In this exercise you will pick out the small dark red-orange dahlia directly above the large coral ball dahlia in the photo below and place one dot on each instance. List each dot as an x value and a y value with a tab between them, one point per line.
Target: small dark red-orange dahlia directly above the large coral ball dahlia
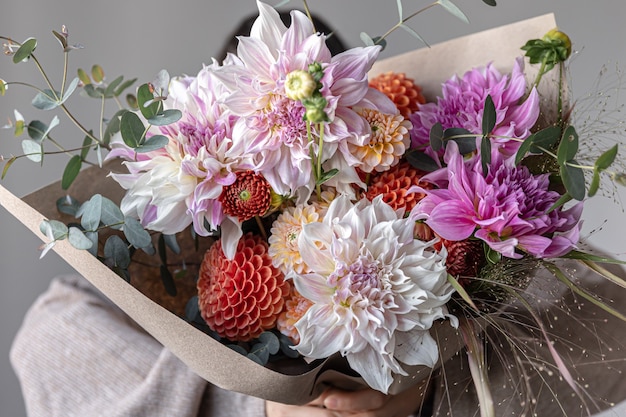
249	196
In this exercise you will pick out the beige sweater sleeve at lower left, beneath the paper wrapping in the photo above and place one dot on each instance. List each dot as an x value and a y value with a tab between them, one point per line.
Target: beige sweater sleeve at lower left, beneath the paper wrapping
77	354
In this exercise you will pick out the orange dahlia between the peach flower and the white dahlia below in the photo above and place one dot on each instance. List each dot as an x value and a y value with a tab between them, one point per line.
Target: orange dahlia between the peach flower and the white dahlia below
394	185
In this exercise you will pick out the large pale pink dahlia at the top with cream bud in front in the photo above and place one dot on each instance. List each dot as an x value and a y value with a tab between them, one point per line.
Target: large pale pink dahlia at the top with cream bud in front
261	78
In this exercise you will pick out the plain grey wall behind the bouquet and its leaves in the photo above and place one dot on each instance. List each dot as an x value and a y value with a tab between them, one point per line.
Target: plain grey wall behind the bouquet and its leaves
138	38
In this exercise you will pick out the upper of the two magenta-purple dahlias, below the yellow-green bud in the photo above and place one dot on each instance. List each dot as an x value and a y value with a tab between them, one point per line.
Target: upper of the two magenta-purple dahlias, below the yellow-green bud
463	100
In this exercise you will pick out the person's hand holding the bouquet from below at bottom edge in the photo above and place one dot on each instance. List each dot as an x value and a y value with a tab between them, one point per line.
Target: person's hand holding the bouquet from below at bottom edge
362	403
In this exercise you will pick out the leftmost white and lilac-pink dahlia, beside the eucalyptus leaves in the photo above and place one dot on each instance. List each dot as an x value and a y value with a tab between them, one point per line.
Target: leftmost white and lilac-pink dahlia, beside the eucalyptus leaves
180	184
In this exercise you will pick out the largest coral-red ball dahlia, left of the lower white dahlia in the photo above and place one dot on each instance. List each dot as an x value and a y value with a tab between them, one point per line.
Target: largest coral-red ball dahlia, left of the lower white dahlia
242	297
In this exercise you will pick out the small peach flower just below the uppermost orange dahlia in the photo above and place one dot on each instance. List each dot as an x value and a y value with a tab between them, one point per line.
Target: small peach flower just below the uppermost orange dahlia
387	143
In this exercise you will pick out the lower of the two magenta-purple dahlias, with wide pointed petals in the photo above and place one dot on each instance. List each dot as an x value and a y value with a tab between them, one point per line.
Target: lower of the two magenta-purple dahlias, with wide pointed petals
508	208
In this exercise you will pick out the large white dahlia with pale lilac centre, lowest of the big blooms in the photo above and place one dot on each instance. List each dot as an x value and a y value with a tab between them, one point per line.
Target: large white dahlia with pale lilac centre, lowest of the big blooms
376	290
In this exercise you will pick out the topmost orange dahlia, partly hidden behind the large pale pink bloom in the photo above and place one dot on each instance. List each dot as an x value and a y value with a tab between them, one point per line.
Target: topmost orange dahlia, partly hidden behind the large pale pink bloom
406	95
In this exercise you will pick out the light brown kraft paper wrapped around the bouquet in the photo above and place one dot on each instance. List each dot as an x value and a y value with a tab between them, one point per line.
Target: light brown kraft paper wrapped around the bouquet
288	382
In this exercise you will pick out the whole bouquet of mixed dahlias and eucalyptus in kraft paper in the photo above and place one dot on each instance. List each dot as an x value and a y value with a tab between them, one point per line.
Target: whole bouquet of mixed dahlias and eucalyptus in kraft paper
346	230
